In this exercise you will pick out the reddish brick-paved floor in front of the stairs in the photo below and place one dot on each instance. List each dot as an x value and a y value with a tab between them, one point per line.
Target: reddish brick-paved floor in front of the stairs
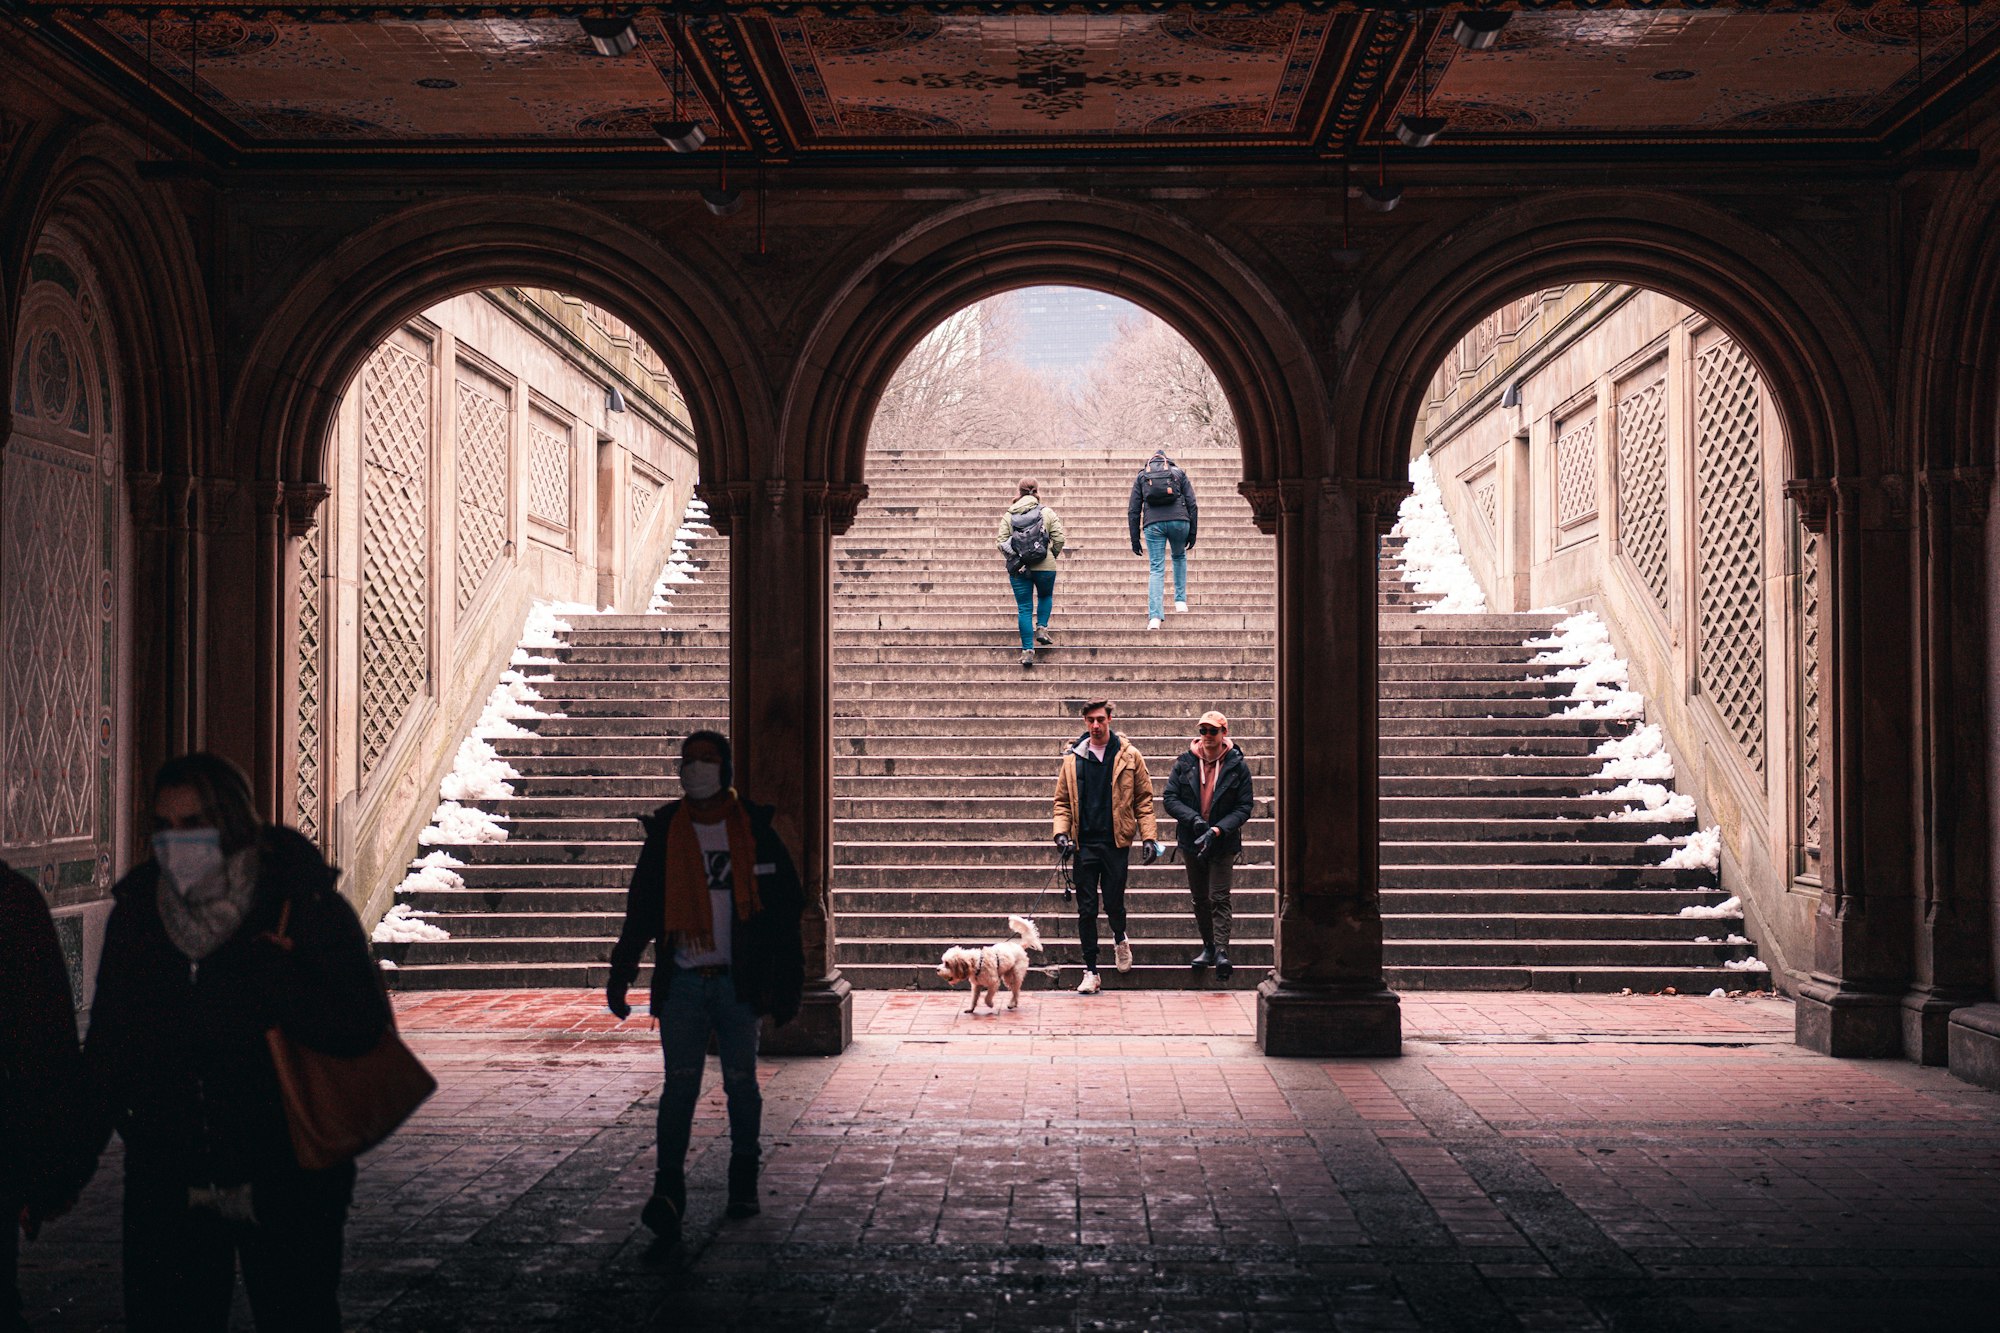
1131	1162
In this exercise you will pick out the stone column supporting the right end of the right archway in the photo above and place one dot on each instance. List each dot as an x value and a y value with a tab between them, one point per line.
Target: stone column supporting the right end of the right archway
1863	928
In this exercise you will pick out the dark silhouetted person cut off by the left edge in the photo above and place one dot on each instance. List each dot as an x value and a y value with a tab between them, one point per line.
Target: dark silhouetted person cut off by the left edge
43	1156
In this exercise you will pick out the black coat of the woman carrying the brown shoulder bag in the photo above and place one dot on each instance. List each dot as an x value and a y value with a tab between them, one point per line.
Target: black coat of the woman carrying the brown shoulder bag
177	1054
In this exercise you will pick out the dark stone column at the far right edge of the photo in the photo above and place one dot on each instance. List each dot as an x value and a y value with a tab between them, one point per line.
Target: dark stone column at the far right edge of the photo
1951	966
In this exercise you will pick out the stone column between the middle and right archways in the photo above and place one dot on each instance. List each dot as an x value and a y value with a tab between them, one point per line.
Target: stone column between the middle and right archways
1327	996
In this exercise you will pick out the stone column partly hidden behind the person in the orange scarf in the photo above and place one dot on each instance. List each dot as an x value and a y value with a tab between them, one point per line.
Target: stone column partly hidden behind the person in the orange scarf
781	708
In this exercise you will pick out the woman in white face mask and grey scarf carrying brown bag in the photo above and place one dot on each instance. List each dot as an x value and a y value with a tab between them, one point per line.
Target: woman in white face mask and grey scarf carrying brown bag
195	972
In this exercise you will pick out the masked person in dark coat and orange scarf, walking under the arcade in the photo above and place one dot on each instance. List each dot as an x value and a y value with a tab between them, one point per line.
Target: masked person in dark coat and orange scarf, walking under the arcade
719	896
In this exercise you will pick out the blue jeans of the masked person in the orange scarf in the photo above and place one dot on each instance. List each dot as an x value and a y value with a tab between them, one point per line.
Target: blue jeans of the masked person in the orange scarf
695	1008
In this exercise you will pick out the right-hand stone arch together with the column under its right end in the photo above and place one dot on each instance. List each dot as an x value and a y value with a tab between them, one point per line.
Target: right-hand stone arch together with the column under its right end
1821	369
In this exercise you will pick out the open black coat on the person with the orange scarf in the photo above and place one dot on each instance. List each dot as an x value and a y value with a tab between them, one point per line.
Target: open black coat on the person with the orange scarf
767	954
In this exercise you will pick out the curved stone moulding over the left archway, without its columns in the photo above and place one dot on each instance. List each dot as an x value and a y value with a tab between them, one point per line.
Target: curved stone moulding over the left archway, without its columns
345	305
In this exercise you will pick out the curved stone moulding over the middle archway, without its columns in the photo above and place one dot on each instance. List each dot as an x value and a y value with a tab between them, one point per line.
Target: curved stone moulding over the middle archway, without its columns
1141	255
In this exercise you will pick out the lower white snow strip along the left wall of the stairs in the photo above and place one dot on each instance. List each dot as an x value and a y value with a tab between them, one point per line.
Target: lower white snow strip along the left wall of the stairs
479	774
